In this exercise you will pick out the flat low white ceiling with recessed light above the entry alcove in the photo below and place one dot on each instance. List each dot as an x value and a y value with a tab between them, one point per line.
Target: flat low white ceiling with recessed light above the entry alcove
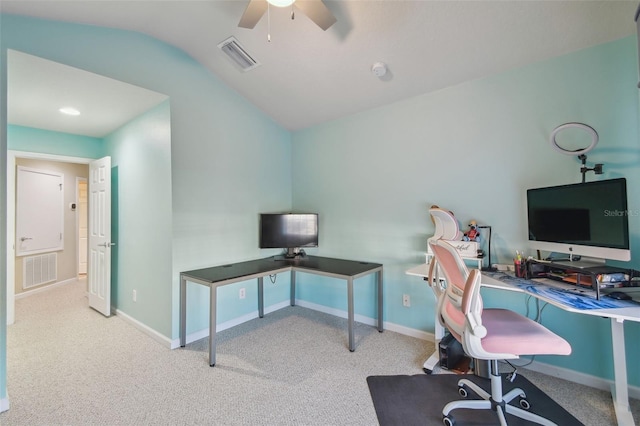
38	88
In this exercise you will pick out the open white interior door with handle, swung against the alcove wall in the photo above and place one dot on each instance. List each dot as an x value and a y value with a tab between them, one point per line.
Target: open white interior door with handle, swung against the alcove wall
99	274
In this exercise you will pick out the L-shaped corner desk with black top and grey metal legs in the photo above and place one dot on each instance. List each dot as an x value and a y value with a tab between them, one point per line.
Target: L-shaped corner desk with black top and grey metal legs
218	276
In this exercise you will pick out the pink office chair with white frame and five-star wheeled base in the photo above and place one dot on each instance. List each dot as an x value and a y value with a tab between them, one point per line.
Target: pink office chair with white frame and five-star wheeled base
488	334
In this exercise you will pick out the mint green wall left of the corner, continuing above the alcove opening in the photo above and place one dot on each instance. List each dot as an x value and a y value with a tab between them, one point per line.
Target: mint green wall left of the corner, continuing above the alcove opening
229	161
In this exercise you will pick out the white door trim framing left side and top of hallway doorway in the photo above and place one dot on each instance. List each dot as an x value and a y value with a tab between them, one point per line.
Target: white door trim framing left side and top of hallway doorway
11	216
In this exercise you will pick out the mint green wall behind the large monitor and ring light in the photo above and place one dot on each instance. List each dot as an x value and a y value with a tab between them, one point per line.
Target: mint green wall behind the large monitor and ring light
474	149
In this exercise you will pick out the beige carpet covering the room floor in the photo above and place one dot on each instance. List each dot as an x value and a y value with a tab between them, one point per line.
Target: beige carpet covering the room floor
69	365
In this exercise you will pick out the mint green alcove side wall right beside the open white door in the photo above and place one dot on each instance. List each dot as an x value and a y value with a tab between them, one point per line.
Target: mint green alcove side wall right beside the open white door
141	217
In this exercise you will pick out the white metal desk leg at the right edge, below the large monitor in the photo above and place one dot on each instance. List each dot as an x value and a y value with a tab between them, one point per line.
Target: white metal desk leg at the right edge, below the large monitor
619	390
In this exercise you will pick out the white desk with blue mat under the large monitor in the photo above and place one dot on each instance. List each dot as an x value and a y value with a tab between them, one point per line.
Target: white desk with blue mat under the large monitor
616	315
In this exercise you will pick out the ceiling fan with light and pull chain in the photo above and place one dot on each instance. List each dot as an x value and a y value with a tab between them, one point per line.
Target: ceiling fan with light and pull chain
314	9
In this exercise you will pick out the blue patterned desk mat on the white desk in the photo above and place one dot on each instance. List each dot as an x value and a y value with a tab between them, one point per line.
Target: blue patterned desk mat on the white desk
576	298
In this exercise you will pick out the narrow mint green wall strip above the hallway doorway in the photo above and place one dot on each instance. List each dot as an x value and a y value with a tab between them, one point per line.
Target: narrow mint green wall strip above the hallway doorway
20	138
